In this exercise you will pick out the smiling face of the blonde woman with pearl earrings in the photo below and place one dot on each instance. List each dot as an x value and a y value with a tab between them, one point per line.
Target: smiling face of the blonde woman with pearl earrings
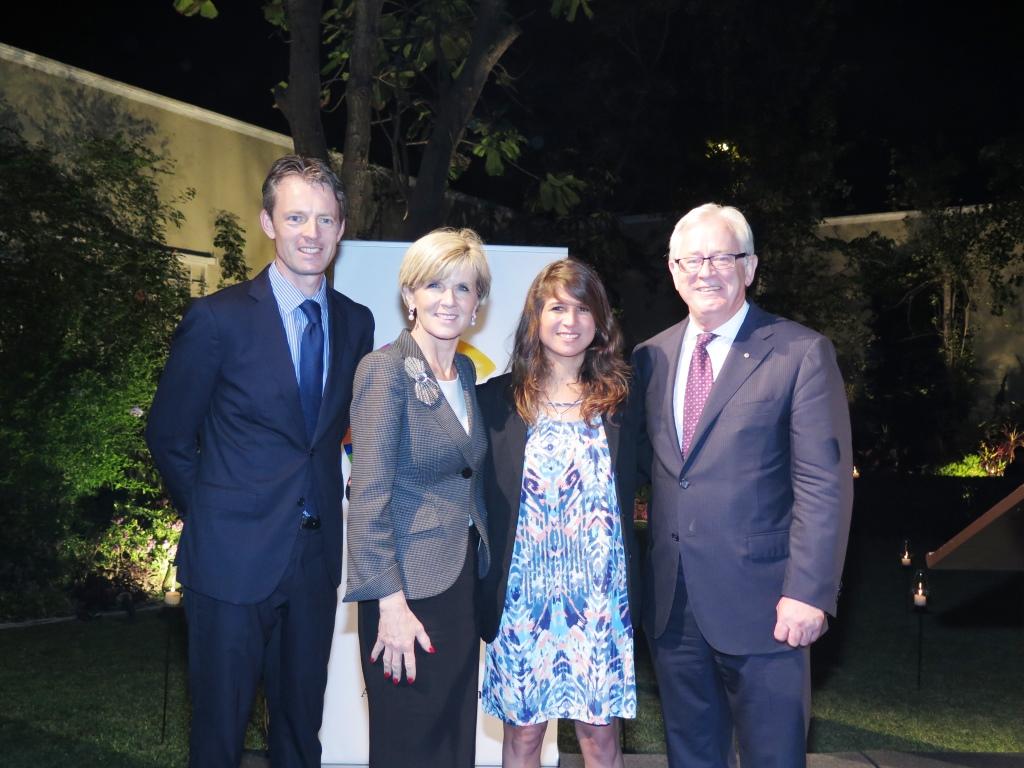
444	306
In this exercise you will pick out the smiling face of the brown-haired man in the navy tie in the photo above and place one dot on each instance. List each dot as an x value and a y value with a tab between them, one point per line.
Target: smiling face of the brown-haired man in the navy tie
306	228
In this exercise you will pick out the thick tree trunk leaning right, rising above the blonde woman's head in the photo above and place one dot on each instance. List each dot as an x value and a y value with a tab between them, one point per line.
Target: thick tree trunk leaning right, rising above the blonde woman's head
492	37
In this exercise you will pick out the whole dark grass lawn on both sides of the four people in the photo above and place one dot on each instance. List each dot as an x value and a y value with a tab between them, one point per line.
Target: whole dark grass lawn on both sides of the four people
92	694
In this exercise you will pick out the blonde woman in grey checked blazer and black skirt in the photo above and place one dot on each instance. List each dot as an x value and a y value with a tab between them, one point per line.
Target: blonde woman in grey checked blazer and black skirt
417	536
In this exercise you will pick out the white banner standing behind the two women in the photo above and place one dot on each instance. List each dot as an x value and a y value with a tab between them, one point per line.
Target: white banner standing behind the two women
368	273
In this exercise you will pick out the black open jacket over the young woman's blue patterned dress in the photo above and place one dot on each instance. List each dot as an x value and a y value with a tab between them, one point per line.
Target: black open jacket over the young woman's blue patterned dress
503	490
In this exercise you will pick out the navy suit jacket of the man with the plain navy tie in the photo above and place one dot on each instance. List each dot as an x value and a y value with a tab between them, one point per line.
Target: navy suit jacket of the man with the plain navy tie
228	435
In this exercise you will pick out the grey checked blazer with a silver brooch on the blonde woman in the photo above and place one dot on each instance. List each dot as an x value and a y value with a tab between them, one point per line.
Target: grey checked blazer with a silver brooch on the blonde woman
416	480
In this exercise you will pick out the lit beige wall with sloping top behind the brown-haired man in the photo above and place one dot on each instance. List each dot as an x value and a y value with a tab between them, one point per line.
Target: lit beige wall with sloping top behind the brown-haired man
224	160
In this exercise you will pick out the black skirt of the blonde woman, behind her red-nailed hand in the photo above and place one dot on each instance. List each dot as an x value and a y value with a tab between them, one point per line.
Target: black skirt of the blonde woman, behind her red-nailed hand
433	722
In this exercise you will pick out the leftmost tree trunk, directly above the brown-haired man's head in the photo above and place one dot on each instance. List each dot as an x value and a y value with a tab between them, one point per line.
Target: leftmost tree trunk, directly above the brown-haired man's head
301	102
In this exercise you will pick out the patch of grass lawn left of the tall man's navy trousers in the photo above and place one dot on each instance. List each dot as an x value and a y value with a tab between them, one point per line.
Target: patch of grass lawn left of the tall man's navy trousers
92	695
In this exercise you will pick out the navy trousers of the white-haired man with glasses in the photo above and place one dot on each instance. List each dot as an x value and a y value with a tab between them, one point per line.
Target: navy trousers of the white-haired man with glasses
706	695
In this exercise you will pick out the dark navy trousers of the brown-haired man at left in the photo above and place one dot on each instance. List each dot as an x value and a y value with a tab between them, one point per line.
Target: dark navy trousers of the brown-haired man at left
287	641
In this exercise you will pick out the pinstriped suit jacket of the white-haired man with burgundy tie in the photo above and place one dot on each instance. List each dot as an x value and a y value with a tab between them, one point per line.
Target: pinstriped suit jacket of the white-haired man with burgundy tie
761	506
